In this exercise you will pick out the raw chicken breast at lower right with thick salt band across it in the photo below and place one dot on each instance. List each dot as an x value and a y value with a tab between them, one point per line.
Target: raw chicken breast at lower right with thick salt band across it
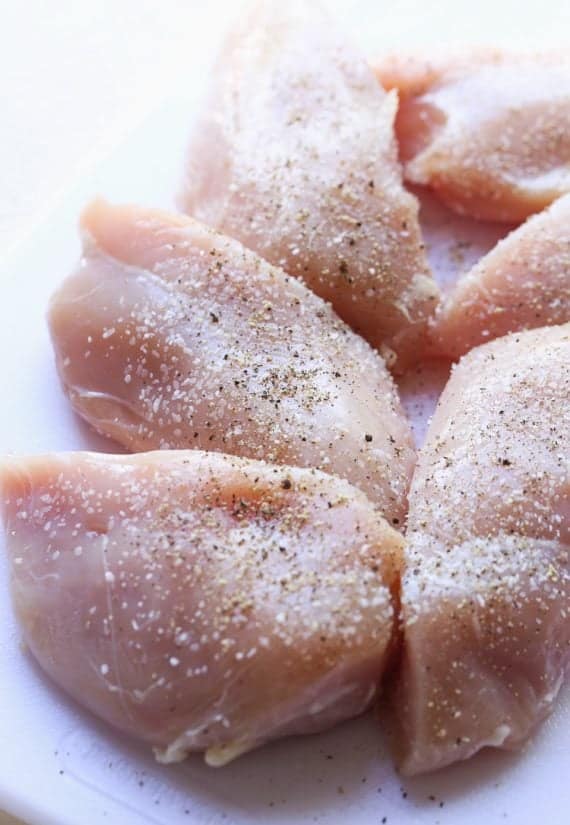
485	595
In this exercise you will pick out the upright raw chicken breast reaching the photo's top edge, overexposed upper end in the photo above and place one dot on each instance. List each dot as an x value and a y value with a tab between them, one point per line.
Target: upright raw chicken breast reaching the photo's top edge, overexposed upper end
294	154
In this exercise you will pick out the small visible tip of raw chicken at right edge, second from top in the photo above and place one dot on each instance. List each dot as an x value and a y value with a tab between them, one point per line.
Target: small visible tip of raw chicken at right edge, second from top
524	282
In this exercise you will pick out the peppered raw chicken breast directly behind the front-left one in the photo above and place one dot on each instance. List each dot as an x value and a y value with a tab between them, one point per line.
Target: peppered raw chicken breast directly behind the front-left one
170	335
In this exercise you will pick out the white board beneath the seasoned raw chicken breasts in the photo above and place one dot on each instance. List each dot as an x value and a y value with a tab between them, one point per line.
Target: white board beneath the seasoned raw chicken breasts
58	765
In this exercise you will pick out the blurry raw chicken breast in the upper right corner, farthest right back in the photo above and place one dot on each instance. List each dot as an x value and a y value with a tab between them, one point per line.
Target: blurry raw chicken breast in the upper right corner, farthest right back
502	159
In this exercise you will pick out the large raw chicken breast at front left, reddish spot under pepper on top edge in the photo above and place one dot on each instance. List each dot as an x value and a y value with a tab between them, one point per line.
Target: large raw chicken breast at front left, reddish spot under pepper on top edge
199	601
